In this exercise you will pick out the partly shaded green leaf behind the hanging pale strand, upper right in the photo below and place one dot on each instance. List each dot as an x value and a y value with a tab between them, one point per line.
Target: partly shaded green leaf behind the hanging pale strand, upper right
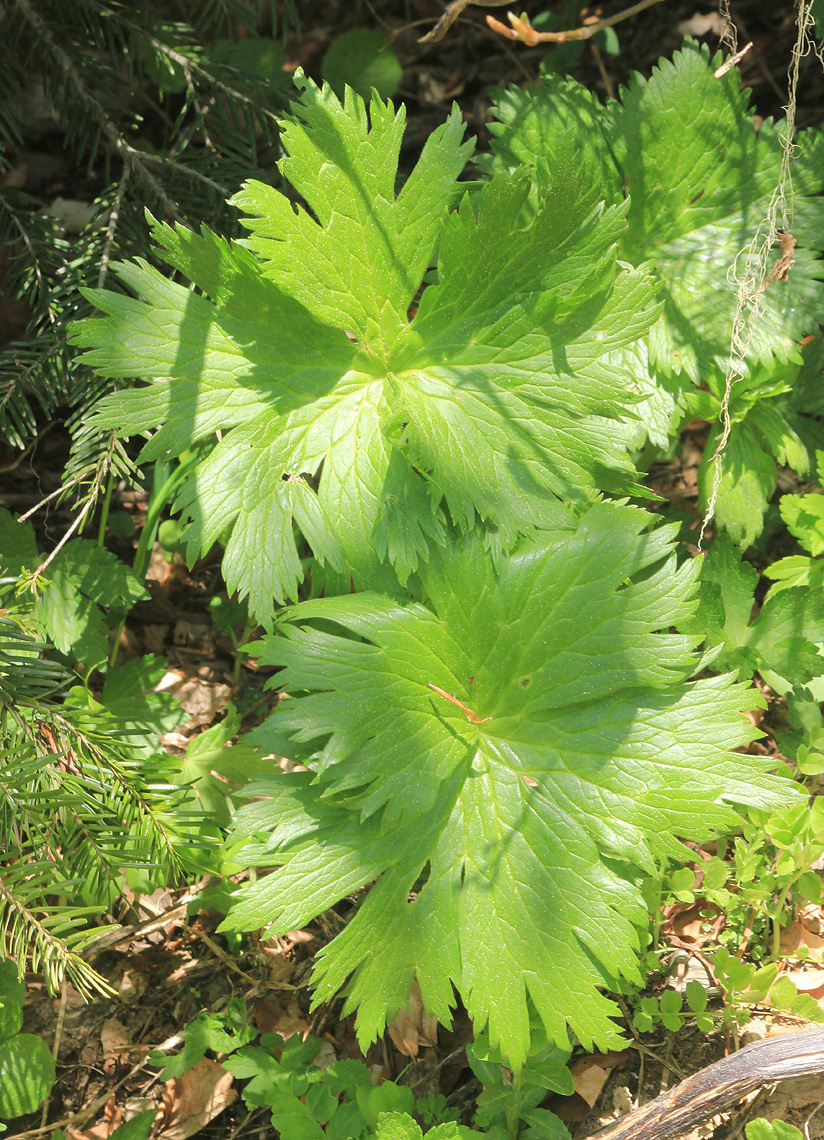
686	150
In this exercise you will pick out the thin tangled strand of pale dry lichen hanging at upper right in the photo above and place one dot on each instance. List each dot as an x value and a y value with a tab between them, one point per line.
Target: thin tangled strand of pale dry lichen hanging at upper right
756	256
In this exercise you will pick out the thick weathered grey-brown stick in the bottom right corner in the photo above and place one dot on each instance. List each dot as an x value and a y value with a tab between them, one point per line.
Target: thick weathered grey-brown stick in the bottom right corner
721	1086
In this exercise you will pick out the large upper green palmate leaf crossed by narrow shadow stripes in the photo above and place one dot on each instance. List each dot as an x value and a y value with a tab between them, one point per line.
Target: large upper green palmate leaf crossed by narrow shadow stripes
339	417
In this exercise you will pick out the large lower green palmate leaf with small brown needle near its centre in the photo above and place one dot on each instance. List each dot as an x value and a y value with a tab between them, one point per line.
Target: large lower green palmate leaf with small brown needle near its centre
501	763
